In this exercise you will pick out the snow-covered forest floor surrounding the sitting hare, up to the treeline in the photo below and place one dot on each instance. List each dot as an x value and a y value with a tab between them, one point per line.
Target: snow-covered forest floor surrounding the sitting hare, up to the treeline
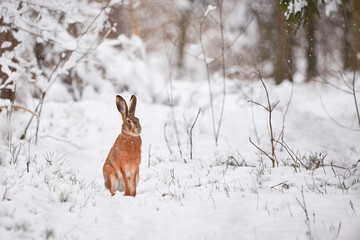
229	191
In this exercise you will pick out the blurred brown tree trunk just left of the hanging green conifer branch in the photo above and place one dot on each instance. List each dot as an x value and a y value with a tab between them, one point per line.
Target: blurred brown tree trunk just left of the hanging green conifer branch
283	60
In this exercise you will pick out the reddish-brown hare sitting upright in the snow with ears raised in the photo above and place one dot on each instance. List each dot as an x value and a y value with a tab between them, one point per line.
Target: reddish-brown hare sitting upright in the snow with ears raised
121	168
